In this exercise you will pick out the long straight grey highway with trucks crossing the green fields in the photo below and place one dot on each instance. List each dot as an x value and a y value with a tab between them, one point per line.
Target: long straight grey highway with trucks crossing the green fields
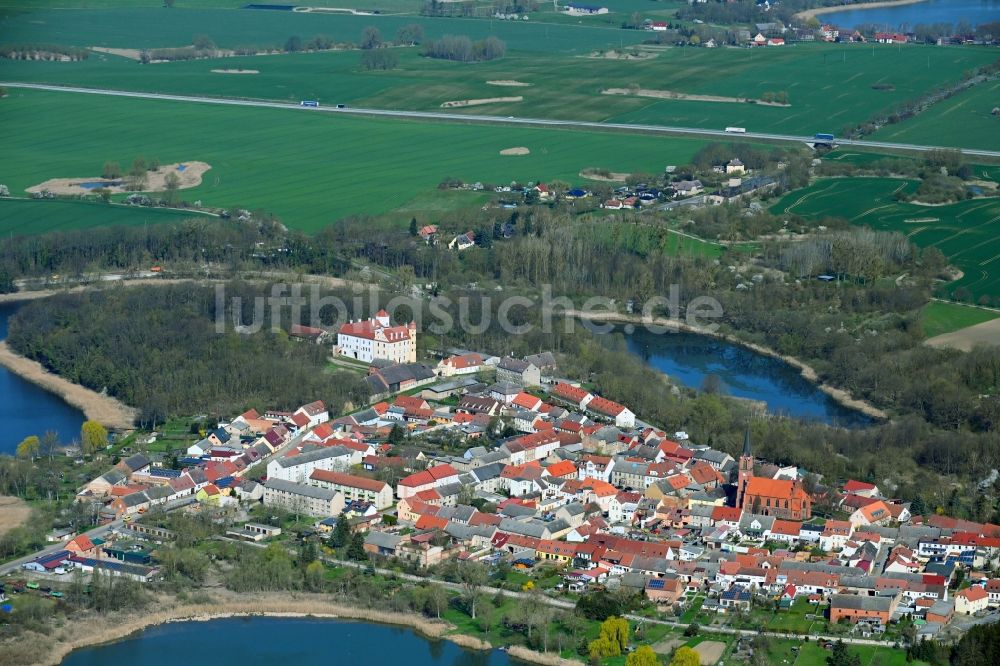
485	120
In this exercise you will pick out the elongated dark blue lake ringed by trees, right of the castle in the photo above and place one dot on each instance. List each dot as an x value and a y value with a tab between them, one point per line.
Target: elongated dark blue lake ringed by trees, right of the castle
689	359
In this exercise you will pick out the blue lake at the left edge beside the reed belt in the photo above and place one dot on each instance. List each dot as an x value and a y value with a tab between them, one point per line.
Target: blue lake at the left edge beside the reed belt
26	409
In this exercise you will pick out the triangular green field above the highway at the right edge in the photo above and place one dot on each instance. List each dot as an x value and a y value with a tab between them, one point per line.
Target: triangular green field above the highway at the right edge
962	120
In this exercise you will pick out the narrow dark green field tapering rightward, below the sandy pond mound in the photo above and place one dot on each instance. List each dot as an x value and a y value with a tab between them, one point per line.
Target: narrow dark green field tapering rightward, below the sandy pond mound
19	217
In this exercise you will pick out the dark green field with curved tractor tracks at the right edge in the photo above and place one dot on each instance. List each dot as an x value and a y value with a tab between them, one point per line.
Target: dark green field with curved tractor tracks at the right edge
966	232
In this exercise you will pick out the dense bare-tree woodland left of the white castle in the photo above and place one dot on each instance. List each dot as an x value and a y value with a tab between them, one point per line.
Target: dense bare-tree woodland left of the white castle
159	349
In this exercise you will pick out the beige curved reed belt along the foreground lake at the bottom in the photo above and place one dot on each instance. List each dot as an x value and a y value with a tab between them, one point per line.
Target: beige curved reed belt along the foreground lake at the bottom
110	629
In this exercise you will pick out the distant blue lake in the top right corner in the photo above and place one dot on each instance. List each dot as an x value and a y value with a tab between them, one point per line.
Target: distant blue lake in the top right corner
906	16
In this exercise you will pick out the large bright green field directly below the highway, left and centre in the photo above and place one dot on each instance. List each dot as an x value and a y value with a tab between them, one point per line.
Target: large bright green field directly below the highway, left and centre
309	169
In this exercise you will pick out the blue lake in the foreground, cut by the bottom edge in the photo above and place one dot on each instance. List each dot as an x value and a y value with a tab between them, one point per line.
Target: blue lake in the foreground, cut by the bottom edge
299	641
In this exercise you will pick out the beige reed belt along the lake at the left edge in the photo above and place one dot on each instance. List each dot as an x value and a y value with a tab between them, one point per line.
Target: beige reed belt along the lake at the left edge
104	409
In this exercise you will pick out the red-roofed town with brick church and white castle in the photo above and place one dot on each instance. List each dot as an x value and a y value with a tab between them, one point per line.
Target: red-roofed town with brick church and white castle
537	472
